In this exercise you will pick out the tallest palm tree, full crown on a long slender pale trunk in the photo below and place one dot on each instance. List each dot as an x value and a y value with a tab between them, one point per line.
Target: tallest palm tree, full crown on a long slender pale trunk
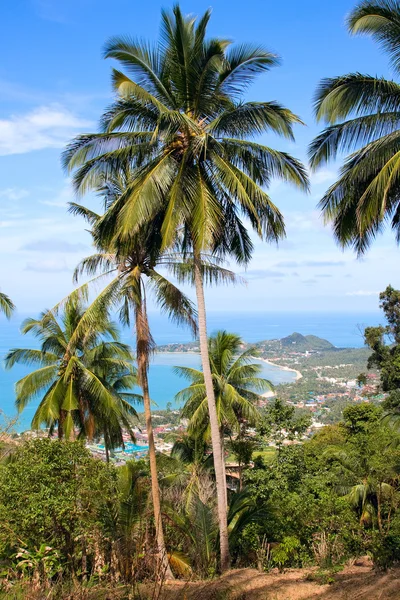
182	124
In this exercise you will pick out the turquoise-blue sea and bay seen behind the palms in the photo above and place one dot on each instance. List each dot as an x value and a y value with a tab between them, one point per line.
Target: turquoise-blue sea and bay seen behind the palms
344	330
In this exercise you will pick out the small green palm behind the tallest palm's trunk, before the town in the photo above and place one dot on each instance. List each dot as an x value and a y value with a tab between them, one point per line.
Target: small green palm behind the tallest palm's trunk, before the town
236	382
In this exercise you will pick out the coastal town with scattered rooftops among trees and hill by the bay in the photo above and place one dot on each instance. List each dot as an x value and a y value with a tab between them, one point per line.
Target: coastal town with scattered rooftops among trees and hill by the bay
322	388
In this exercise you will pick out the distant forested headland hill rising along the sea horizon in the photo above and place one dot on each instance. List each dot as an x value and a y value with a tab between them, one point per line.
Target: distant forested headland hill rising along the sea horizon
296	342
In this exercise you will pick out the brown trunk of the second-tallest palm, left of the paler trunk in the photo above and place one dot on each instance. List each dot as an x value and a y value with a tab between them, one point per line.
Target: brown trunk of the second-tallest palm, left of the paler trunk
142	350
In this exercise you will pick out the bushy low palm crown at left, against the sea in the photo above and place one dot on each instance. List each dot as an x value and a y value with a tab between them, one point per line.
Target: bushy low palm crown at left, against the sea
83	380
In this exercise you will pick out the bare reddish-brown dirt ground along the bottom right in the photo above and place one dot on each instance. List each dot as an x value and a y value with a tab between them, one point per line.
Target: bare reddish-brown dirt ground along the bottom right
358	582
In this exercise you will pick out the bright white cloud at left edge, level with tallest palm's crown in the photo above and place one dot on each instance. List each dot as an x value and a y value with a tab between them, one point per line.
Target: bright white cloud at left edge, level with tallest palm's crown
44	127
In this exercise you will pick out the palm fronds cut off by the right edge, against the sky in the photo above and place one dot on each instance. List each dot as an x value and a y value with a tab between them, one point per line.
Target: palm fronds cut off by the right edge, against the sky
362	112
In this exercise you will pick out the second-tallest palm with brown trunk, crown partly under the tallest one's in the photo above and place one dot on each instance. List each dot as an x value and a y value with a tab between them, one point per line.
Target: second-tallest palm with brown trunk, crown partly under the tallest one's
131	265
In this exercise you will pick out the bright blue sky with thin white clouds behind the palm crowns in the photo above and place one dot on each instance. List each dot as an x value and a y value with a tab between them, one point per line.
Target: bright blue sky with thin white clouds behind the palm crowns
54	84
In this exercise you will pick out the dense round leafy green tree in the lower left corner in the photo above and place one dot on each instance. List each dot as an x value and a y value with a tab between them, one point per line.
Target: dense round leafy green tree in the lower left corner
54	493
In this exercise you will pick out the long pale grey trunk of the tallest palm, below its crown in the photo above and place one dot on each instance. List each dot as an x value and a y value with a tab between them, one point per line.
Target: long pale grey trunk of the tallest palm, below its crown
212	410
